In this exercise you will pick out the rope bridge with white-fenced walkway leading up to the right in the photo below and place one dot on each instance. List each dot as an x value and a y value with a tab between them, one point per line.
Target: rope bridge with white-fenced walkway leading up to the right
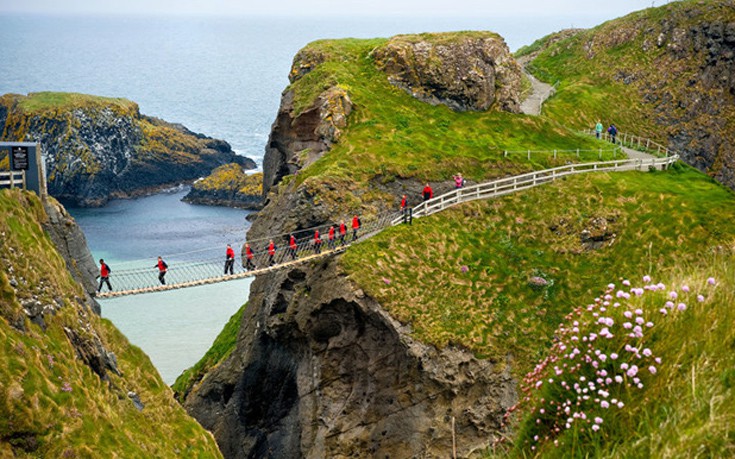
200	267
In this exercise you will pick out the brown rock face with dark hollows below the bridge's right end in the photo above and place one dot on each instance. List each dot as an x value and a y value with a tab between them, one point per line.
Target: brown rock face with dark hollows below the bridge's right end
321	370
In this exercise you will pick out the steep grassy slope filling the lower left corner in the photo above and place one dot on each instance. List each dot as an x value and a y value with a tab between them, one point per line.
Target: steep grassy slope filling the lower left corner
52	404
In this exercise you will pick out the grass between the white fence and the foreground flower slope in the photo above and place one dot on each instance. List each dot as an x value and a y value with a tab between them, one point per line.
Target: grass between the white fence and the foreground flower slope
658	220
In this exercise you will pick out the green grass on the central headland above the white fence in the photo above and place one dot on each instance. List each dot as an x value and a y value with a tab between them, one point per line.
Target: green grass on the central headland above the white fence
392	135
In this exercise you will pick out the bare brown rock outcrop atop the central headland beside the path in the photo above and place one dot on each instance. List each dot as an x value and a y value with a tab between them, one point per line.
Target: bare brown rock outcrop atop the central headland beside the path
464	73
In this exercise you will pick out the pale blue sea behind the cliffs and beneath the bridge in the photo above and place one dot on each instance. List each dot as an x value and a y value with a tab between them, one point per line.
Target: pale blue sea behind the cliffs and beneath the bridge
221	76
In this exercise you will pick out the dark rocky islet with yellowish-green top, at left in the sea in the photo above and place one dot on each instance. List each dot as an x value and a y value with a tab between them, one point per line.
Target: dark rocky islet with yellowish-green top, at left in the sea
98	148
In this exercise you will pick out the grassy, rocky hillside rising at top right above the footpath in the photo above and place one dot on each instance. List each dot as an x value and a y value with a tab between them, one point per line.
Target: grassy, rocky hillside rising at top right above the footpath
666	72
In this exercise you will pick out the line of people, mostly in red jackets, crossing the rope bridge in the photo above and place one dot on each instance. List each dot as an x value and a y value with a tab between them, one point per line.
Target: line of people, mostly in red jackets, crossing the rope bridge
336	234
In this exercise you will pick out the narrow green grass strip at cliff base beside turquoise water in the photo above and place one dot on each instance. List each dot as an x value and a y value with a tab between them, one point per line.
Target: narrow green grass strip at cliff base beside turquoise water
222	347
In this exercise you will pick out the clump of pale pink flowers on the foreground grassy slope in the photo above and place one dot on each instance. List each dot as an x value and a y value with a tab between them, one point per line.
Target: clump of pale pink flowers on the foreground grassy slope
602	354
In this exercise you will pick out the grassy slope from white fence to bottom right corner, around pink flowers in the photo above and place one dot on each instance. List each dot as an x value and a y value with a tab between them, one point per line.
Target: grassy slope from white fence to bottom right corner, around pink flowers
498	277
